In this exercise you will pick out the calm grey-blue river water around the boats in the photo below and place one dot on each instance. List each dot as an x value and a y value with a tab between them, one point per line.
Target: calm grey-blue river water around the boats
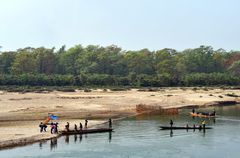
140	137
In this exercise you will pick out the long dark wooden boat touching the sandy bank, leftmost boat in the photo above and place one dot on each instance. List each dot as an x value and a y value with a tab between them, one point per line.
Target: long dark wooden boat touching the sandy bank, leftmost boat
86	131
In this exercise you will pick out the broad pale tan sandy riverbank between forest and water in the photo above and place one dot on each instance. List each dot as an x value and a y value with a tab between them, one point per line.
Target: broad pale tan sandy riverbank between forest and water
20	114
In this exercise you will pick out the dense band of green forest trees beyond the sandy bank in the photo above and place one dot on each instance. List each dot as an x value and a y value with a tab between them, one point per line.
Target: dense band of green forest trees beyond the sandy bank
96	65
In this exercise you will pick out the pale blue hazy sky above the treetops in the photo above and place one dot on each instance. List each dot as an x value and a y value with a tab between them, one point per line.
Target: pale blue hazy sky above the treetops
129	24
